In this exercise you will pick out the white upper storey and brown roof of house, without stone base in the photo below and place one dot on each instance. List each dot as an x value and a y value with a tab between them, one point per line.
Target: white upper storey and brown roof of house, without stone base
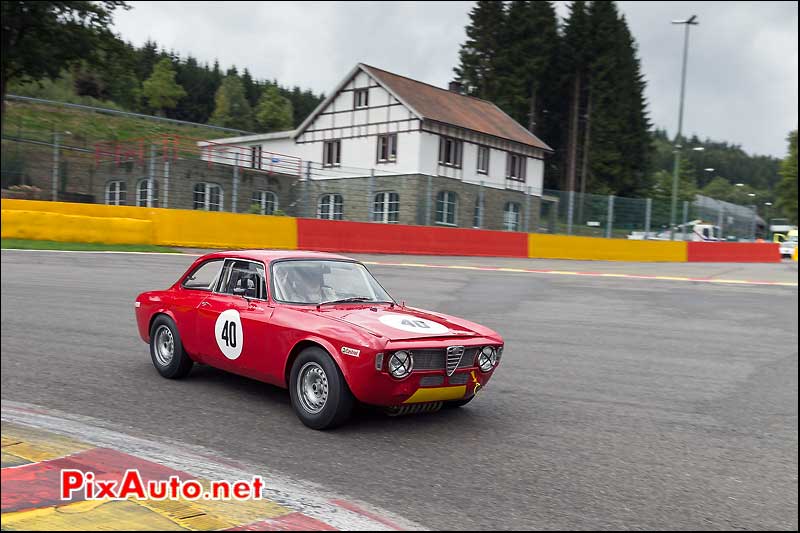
376	119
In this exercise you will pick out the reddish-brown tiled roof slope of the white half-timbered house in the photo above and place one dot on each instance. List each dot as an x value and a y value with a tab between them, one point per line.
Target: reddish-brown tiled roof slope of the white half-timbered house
449	107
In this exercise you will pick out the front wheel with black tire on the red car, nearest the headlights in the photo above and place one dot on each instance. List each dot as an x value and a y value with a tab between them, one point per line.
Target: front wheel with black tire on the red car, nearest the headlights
338	400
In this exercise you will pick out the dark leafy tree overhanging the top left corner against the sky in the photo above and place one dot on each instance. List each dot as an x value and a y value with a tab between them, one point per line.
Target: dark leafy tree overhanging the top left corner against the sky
40	39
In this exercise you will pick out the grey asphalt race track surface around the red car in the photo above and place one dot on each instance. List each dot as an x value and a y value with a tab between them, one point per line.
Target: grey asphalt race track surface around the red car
621	403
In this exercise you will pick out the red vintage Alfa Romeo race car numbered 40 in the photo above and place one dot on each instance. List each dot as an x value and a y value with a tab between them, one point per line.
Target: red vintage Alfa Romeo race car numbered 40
322	326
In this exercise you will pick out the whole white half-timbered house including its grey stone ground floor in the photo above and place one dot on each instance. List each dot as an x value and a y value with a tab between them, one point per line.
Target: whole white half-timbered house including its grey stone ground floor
379	123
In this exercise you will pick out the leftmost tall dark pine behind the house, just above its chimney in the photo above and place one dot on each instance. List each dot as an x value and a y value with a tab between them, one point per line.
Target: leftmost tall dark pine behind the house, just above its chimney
479	68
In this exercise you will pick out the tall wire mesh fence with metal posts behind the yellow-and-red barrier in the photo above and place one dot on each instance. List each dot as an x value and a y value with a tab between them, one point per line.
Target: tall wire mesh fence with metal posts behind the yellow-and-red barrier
179	173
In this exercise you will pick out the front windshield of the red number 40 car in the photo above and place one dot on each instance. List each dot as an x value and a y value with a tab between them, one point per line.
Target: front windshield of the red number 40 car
321	281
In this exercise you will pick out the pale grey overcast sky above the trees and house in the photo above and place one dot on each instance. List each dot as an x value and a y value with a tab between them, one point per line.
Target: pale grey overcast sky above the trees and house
741	79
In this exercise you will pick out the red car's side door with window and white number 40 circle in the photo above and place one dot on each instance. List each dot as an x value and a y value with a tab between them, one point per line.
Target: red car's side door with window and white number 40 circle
233	321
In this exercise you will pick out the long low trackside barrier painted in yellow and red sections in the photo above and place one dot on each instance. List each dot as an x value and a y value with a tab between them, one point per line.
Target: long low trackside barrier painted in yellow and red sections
75	222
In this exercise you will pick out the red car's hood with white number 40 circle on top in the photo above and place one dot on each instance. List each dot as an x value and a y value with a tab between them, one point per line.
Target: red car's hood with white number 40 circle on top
404	323
